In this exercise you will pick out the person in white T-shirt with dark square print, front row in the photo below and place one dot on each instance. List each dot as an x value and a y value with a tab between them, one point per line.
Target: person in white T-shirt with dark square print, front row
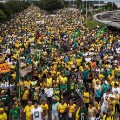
36	112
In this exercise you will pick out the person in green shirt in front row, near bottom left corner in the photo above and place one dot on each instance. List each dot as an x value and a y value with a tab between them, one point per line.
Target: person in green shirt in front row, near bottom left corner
14	113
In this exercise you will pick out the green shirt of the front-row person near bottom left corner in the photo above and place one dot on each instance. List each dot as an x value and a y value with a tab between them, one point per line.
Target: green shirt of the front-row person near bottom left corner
14	113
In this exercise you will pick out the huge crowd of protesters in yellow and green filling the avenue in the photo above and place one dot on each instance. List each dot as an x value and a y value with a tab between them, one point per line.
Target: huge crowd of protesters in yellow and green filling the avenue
75	70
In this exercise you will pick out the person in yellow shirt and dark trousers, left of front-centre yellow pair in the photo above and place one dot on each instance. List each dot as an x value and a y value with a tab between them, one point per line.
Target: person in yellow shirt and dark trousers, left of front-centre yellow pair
62	109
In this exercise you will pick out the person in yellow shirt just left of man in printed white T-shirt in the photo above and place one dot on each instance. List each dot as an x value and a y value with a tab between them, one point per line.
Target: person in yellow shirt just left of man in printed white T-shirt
28	109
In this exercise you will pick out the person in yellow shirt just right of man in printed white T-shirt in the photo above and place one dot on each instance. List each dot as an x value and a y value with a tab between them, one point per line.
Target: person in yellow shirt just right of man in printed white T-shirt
44	106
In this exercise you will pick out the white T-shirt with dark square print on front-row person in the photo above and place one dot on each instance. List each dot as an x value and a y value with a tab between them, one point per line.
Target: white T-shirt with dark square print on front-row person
36	112
